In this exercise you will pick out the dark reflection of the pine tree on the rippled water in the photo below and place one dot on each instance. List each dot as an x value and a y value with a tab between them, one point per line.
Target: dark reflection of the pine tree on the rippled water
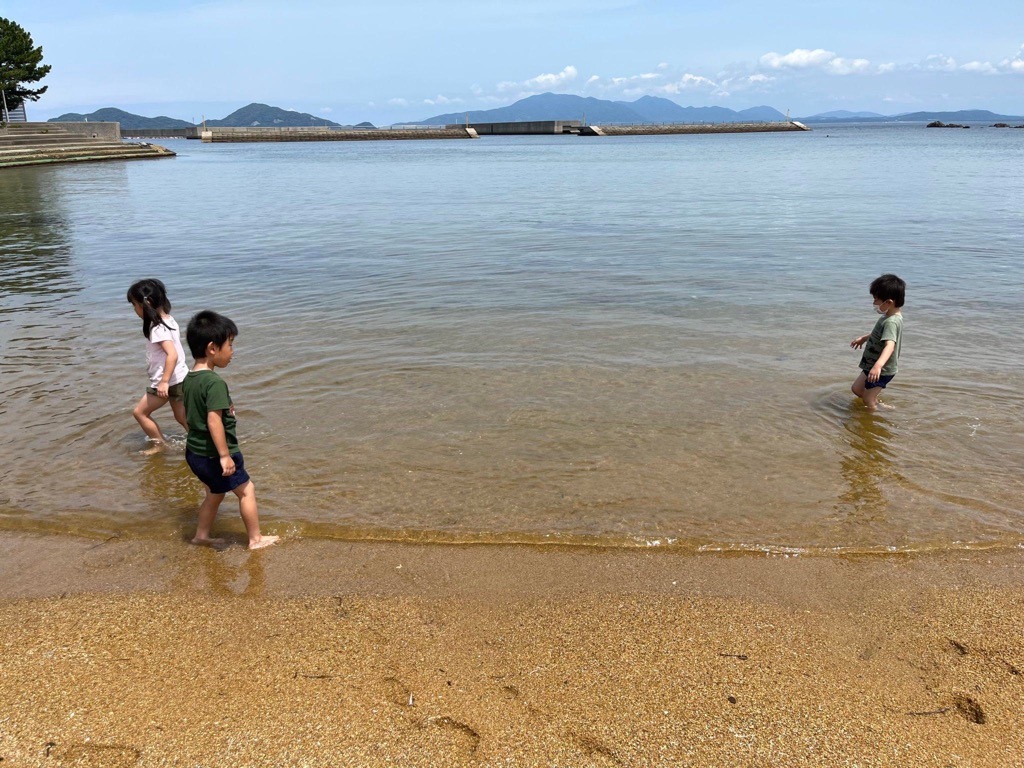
34	241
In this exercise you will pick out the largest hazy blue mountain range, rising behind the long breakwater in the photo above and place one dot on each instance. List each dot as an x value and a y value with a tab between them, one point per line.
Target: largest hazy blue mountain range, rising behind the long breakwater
599	111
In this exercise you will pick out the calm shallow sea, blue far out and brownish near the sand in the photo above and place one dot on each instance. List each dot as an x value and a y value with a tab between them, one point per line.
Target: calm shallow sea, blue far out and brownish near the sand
618	342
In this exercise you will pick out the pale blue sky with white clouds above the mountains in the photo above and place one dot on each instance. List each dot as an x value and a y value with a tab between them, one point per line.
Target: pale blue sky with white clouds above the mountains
401	61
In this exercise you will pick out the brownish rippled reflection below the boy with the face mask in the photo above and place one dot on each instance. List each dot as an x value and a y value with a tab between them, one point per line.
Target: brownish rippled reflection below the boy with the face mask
868	468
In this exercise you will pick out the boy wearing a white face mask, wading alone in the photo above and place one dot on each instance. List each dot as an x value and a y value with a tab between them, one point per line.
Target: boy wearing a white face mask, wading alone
881	359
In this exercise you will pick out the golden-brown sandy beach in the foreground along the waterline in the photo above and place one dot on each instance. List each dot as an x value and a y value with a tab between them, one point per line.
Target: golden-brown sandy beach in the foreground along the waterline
317	653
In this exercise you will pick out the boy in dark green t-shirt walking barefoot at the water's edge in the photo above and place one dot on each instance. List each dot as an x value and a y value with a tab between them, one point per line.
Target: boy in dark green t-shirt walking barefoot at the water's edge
212	449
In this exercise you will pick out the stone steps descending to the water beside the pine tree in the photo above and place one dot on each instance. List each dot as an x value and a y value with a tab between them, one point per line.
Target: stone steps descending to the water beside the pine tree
41	144
